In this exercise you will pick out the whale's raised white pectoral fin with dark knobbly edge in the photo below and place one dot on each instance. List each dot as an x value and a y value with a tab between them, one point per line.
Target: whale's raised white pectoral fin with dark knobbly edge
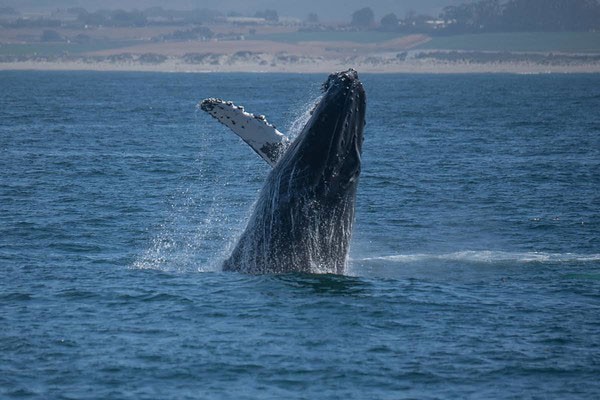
263	137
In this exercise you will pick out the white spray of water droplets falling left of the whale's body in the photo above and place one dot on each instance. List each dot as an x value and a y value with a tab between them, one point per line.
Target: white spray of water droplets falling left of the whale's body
200	228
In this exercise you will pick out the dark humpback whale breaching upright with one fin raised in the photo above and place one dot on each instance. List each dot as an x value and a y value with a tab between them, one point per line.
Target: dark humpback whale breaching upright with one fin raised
302	221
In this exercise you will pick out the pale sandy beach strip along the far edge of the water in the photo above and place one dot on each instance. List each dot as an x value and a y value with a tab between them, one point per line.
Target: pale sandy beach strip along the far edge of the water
269	63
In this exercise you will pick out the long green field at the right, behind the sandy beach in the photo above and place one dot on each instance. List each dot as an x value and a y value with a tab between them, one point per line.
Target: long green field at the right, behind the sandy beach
574	42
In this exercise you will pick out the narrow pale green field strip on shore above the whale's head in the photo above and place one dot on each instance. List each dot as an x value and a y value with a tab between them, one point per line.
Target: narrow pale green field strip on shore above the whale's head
356	37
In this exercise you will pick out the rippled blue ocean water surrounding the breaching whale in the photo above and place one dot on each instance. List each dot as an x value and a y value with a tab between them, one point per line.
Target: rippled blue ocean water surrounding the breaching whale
475	261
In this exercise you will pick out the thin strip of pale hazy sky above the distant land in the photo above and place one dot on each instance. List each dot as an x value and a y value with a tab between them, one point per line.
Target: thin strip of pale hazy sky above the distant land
335	10
